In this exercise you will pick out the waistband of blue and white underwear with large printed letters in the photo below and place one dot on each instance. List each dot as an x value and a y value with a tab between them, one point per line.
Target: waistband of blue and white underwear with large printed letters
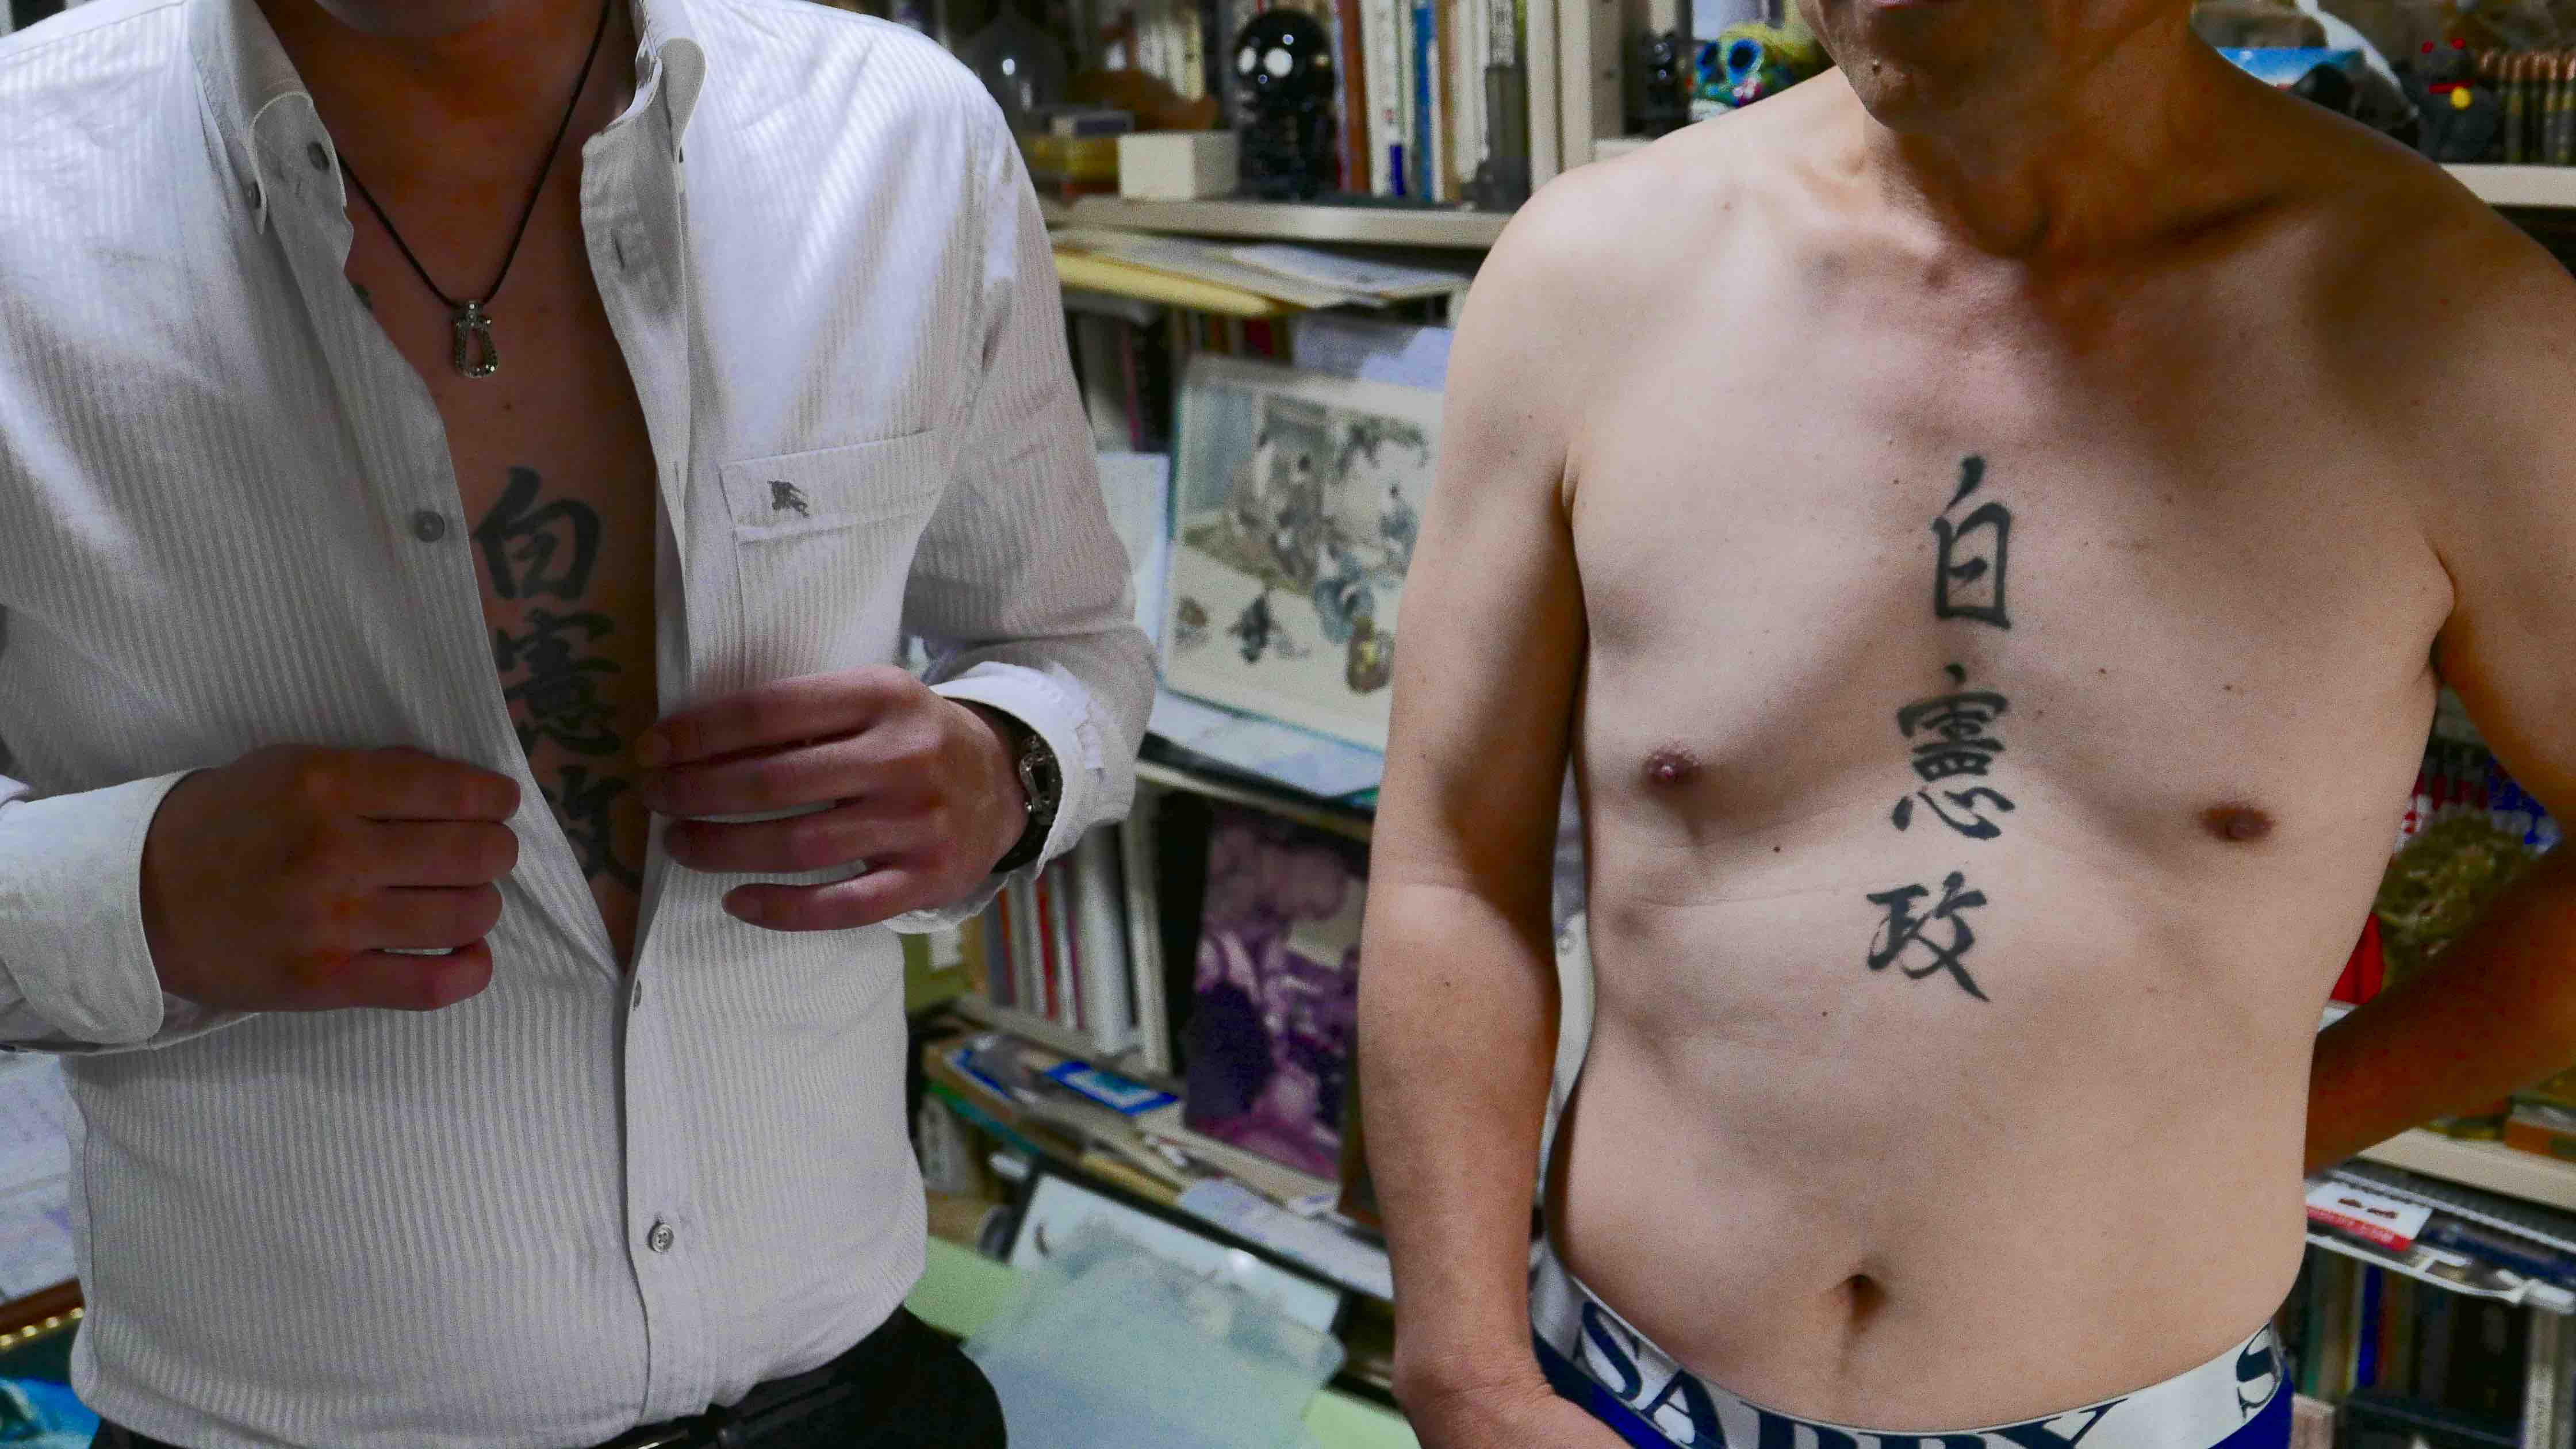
1606	1365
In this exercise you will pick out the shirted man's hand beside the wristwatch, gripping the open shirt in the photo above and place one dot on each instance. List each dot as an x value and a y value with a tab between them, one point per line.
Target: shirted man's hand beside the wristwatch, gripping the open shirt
918	788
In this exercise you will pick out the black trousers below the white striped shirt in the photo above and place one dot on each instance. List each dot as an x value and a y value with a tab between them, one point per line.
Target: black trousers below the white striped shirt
900	1388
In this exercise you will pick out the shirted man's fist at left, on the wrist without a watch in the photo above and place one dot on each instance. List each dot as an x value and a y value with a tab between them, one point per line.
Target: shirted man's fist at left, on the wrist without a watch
290	878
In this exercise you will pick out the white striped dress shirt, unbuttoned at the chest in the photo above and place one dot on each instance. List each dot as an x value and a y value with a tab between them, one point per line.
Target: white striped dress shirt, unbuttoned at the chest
228	520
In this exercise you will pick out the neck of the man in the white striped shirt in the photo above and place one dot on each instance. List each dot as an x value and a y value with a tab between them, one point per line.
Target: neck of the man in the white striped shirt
460	110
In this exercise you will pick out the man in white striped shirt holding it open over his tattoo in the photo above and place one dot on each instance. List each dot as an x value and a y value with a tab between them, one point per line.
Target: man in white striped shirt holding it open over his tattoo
465	476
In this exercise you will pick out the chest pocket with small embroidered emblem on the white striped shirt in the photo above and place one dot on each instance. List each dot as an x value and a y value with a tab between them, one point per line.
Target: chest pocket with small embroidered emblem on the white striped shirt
823	548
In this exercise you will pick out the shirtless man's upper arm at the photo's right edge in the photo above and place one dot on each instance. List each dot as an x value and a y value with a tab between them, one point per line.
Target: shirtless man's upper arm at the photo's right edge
2505	522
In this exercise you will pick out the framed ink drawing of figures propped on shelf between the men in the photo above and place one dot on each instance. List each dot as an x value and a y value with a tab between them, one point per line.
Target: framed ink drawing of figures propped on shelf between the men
1297	504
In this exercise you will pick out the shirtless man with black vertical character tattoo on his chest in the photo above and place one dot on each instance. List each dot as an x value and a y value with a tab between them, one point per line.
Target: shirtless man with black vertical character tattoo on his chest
1987	530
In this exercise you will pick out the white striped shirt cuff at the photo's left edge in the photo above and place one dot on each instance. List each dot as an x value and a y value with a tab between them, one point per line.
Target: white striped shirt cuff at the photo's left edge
71	917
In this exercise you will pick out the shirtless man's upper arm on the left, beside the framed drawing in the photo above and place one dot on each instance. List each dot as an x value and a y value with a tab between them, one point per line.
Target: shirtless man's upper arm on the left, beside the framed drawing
1493	623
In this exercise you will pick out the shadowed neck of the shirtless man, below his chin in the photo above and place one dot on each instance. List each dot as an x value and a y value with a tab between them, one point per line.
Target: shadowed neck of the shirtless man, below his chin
2108	146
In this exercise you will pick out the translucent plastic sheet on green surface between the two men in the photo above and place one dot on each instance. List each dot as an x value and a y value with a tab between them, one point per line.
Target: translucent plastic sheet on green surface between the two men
1112	1347
